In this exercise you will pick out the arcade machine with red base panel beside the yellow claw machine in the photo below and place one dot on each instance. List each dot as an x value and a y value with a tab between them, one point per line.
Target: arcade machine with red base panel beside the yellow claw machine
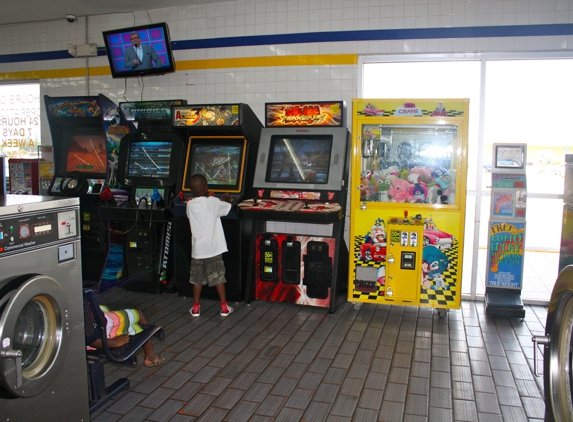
301	175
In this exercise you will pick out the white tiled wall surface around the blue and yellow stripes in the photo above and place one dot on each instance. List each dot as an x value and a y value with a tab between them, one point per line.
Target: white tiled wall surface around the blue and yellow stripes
255	86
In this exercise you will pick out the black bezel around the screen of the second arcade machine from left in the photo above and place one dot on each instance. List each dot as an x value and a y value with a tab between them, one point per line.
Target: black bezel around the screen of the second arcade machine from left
174	160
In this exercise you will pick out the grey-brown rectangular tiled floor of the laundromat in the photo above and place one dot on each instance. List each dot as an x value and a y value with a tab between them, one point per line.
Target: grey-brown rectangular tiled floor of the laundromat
283	362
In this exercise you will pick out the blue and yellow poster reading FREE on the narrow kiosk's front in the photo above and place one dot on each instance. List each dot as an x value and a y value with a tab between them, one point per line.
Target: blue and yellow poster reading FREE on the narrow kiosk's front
505	255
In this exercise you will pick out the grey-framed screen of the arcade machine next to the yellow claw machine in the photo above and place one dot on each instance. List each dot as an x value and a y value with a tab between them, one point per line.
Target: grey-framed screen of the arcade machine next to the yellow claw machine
301	159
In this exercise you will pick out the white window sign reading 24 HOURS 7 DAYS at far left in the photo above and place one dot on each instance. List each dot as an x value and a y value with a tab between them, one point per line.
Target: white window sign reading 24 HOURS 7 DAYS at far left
20	120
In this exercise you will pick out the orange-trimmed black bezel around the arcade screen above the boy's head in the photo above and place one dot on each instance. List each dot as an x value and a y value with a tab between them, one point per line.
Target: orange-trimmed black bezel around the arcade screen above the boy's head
216	140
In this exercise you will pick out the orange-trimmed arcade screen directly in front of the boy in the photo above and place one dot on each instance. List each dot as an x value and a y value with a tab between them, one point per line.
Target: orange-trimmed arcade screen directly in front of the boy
221	159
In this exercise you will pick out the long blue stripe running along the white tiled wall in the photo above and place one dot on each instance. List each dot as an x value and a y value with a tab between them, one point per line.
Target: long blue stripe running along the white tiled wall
334	36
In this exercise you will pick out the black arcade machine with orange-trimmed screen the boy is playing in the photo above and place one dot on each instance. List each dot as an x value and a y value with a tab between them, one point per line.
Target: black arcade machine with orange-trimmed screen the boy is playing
222	142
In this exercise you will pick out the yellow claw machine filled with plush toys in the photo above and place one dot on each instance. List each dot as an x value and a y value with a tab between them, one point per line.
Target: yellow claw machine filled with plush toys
408	201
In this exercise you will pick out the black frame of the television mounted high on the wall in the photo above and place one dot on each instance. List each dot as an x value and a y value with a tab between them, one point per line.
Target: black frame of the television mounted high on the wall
146	72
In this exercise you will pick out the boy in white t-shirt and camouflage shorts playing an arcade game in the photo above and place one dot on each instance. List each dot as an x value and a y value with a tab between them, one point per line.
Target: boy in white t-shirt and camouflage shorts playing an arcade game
207	242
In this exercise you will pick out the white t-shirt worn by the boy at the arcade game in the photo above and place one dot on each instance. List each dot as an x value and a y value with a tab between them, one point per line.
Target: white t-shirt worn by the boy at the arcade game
207	236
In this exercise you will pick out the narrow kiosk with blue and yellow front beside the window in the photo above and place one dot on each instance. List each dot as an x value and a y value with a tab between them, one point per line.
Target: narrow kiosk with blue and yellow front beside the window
506	232
